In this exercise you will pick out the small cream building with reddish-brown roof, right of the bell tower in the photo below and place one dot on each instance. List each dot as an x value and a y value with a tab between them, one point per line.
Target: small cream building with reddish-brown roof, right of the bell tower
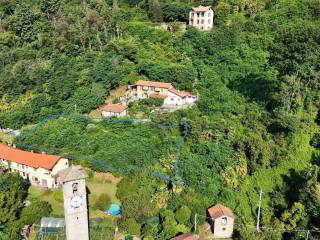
222	220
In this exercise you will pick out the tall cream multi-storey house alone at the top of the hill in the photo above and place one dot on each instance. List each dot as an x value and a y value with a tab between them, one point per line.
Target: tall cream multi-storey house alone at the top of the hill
201	17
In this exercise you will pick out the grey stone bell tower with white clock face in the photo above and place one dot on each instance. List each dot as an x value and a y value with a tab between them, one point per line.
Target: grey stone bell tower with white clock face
75	202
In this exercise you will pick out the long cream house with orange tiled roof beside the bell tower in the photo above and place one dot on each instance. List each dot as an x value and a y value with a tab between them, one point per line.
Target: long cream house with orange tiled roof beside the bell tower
36	168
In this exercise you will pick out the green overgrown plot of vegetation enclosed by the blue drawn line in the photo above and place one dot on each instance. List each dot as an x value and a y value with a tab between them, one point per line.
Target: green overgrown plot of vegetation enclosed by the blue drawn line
121	145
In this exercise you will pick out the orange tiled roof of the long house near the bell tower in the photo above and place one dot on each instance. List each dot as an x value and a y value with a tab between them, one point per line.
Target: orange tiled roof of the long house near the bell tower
35	160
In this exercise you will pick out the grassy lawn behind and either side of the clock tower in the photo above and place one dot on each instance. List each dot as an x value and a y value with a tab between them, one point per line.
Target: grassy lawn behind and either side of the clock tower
96	186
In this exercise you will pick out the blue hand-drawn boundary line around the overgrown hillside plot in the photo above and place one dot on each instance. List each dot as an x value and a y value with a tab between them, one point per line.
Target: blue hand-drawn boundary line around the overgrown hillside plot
102	163
